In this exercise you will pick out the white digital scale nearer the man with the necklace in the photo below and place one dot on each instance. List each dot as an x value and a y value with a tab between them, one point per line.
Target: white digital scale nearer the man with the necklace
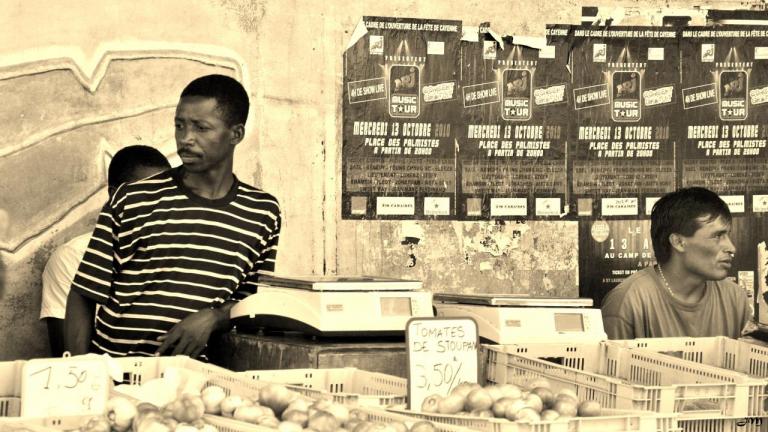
509	319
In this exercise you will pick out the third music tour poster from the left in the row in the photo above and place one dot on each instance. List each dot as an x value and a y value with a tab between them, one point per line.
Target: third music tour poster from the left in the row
625	103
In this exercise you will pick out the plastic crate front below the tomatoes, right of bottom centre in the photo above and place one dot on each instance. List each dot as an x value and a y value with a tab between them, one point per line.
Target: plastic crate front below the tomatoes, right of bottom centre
612	421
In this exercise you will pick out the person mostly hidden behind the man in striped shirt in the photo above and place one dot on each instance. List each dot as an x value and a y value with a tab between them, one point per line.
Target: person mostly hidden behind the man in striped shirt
129	164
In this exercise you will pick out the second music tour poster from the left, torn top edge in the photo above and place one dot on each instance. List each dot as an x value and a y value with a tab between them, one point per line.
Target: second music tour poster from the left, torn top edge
511	139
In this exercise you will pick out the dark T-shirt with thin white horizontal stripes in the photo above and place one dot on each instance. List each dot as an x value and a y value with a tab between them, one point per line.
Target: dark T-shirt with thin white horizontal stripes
159	253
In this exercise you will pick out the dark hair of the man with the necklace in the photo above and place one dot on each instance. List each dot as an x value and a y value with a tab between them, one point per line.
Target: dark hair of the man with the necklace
678	213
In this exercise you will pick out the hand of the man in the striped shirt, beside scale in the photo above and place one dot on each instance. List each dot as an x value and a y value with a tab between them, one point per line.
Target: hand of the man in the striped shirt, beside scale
190	335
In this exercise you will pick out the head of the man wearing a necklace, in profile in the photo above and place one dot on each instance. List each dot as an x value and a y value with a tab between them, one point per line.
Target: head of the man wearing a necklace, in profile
693	223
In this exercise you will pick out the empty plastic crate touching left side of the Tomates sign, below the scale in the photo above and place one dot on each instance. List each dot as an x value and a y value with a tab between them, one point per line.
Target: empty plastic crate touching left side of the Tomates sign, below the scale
350	386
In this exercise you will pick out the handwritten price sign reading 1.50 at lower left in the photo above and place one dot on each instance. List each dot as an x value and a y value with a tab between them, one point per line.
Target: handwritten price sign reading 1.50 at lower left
64	387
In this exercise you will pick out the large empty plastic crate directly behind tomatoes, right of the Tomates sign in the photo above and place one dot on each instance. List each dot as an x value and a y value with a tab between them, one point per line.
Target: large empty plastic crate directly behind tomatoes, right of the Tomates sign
635	379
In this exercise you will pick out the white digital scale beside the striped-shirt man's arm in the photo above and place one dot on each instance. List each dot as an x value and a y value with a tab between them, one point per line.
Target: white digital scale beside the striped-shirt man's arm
333	306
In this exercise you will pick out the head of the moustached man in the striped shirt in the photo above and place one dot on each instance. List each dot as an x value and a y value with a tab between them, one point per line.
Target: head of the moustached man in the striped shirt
210	122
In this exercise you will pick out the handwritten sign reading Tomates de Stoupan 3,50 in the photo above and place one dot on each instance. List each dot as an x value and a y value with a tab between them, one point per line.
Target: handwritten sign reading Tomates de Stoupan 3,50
442	353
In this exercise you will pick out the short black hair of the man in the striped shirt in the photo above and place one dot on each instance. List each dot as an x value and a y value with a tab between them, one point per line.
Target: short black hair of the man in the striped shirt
231	97
